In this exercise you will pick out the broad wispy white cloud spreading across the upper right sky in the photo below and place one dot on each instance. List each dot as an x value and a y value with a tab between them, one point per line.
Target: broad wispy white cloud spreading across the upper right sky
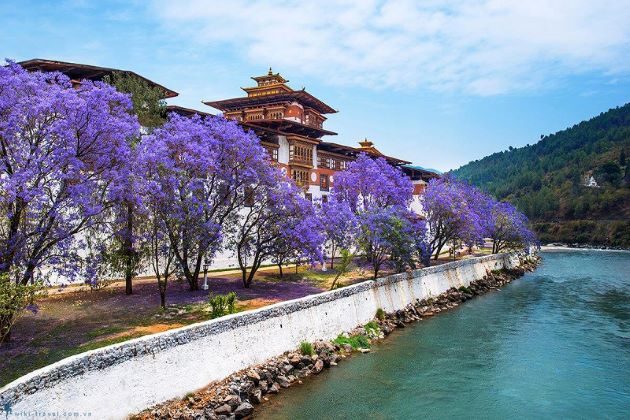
481	47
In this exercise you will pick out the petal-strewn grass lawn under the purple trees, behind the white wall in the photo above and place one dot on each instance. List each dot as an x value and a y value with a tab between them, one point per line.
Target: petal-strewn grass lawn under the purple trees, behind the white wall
75	319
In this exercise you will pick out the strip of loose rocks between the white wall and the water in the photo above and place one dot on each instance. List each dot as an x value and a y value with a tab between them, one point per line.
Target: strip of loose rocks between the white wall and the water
240	393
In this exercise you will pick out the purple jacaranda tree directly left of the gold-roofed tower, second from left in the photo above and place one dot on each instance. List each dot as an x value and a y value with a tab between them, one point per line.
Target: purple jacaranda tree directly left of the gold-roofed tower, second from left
198	171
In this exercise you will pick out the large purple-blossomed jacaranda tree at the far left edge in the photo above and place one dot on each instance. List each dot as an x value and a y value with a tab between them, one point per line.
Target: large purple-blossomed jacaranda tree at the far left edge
62	153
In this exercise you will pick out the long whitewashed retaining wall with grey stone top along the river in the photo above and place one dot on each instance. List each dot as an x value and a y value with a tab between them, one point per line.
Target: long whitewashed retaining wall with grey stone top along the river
115	381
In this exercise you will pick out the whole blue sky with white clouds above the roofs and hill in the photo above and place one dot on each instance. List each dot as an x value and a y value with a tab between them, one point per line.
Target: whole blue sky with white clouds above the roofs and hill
435	82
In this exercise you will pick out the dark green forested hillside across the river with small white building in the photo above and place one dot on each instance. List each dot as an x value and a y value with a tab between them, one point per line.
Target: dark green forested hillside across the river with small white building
573	185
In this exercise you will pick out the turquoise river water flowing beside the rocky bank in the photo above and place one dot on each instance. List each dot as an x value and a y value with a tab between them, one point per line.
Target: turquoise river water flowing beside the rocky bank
553	344
